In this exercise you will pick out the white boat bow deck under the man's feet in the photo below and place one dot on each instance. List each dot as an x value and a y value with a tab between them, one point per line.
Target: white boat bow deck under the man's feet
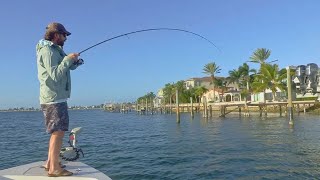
33	171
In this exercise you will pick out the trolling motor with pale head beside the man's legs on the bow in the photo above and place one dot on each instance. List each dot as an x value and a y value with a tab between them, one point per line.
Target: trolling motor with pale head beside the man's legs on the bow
72	152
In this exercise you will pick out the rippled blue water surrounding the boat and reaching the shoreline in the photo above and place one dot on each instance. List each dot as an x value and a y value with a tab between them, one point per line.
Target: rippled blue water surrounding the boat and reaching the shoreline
130	146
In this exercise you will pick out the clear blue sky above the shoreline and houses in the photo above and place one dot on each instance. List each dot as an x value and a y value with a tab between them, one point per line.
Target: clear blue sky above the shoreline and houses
129	67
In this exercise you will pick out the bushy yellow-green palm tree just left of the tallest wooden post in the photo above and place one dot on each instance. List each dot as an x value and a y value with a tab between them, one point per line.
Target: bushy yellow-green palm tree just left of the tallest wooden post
269	78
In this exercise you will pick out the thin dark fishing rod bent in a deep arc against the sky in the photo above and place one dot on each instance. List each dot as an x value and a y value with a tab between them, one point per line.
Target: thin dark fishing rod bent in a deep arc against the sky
153	29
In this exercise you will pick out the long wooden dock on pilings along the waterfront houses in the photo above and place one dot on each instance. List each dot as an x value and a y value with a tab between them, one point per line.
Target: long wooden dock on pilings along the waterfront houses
223	108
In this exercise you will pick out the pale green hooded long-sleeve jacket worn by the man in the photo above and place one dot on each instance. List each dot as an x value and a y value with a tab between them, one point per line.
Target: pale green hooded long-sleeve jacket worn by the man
53	72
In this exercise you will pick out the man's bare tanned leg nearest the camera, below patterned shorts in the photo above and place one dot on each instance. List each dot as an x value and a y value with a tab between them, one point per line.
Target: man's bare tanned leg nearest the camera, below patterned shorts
54	151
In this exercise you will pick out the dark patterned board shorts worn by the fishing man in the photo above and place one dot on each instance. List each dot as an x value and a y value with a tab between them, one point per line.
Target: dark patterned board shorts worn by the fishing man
56	117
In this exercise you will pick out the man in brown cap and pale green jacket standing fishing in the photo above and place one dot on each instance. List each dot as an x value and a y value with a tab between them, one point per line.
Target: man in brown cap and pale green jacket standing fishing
55	86
